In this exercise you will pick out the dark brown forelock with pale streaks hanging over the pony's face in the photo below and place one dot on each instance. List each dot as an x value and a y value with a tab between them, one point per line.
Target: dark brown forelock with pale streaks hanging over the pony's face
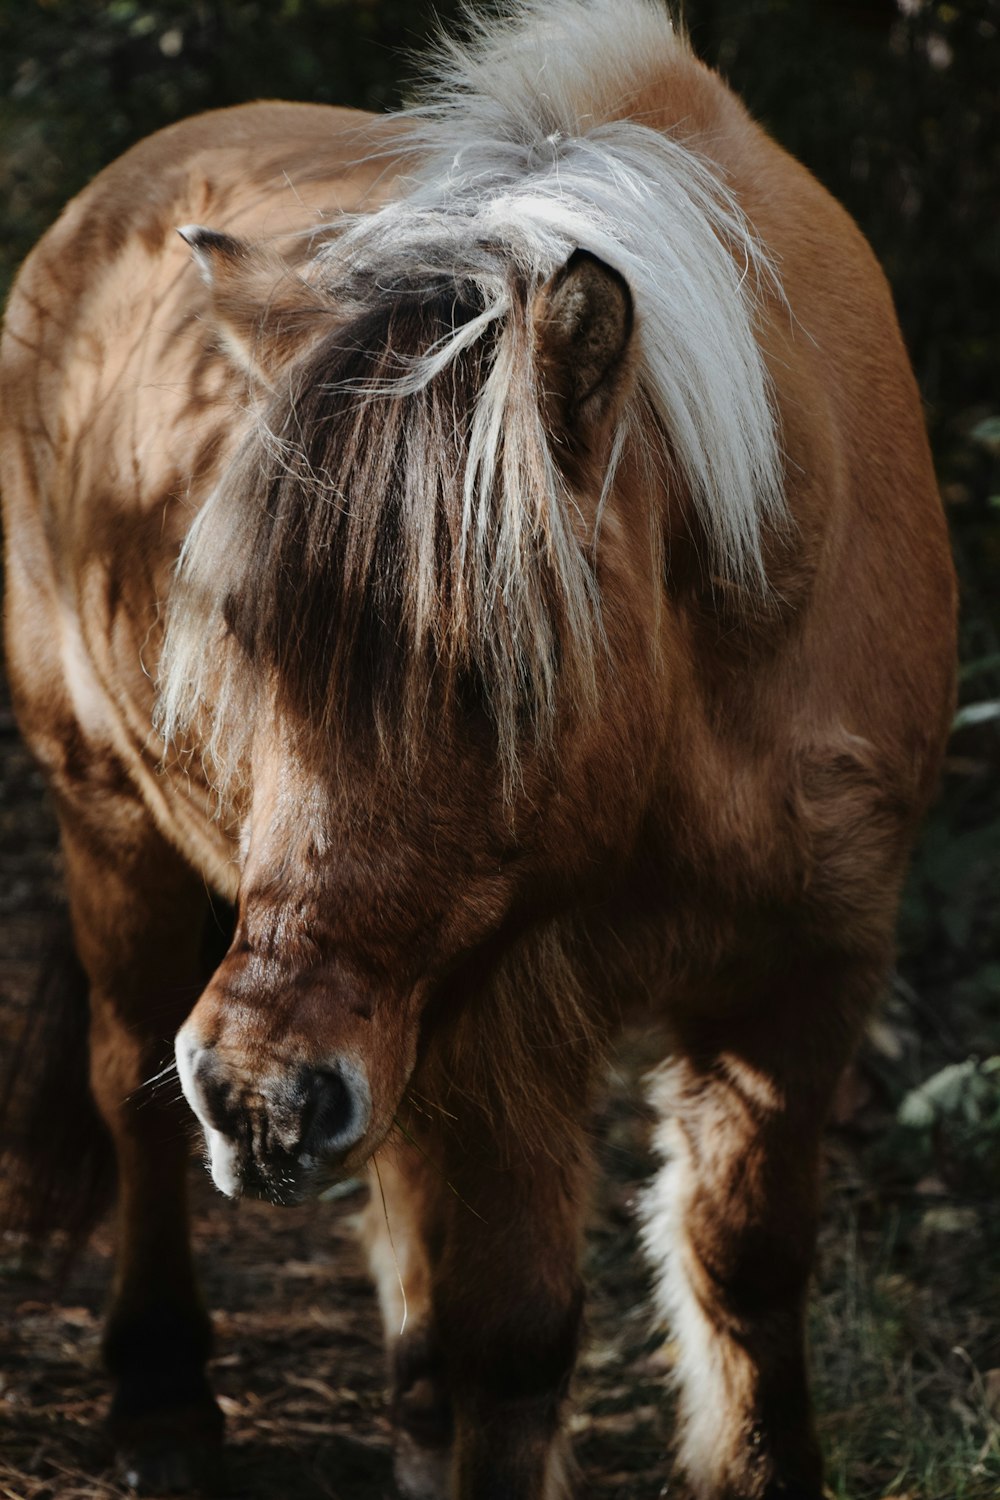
350	592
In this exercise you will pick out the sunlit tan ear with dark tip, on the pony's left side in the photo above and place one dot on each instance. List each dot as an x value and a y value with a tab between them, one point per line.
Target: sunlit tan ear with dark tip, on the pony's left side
265	313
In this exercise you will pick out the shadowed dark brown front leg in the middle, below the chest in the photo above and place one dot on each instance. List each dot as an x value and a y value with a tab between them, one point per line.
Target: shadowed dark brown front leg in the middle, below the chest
507	1300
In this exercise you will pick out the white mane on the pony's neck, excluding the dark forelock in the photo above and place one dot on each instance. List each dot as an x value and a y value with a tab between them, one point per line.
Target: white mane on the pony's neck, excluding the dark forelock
528	143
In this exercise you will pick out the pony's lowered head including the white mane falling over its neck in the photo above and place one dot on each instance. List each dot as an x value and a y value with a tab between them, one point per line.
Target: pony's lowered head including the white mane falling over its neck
419	629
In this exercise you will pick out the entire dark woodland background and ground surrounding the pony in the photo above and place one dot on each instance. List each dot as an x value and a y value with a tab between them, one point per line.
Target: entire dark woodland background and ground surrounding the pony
897	109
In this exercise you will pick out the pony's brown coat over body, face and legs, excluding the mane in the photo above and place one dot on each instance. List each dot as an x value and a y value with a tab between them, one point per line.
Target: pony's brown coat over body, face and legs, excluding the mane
714	830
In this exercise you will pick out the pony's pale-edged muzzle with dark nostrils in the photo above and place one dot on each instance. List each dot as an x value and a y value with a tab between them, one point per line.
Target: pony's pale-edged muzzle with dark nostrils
284	1136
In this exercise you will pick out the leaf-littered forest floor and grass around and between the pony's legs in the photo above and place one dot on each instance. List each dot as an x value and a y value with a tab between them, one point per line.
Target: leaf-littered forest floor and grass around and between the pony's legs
905	1315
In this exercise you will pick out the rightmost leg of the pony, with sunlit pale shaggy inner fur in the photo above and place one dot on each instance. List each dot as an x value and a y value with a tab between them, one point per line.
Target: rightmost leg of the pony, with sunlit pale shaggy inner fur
731	1225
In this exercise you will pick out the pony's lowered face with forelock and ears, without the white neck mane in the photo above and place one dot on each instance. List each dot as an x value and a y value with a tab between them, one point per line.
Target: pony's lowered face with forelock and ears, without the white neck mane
436	641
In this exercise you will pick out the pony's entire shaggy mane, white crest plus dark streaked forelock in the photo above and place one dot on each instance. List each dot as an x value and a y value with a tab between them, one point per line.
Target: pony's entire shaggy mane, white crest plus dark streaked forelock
397	530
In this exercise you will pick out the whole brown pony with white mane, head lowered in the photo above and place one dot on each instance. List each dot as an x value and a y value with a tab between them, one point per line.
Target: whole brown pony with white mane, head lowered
506	563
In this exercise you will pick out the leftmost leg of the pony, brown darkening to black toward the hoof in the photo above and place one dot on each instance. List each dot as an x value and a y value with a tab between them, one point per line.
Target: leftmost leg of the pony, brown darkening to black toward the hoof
139	920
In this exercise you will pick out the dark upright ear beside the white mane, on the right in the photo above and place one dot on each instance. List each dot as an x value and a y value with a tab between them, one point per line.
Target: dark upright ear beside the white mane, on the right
582	326
